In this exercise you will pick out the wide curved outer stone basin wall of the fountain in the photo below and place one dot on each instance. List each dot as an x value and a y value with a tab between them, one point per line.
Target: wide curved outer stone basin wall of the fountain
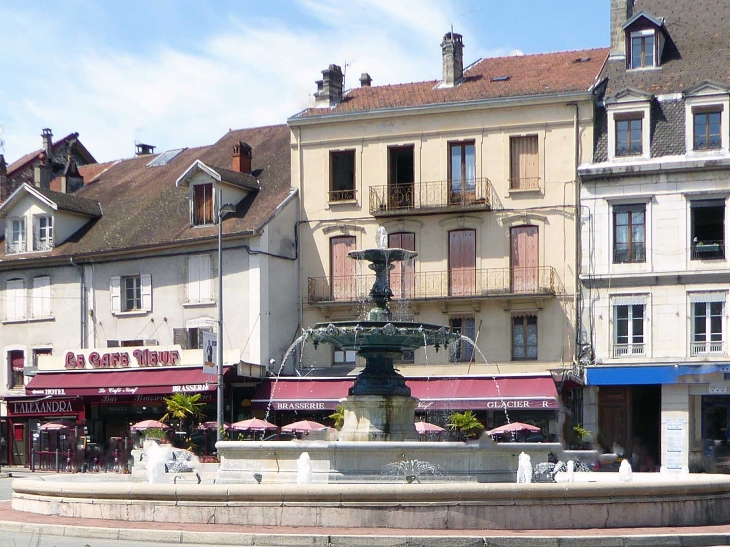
690	500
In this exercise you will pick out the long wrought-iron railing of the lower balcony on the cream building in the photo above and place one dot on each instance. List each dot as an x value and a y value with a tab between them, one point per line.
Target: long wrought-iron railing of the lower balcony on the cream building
485	283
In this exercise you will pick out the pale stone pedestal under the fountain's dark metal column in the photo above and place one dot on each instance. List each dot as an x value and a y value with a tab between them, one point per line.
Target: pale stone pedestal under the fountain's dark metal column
379	418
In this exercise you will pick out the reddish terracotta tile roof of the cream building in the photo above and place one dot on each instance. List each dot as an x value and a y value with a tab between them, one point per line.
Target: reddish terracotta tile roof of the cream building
529	75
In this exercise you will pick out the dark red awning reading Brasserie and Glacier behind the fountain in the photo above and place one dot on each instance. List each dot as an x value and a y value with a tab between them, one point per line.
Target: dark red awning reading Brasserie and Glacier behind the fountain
476	393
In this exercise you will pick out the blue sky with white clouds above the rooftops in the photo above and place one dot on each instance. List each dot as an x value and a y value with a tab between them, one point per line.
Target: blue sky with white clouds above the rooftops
176	73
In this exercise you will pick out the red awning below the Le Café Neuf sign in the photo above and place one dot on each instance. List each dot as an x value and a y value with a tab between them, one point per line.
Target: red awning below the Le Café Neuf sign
123	382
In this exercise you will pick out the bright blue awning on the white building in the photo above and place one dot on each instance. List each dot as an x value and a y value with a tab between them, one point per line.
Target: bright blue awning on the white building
634	375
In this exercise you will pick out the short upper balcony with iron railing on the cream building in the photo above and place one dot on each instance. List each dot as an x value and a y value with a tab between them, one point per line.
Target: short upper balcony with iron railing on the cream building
425	197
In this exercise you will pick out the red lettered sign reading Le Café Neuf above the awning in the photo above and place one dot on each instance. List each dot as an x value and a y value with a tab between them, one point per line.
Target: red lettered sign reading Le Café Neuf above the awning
121	358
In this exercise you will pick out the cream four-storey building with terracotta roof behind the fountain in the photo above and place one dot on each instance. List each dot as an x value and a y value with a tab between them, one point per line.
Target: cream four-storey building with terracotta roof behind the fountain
477	174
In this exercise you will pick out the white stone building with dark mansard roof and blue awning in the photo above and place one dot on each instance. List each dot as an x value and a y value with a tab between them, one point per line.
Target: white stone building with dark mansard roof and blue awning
654	266
